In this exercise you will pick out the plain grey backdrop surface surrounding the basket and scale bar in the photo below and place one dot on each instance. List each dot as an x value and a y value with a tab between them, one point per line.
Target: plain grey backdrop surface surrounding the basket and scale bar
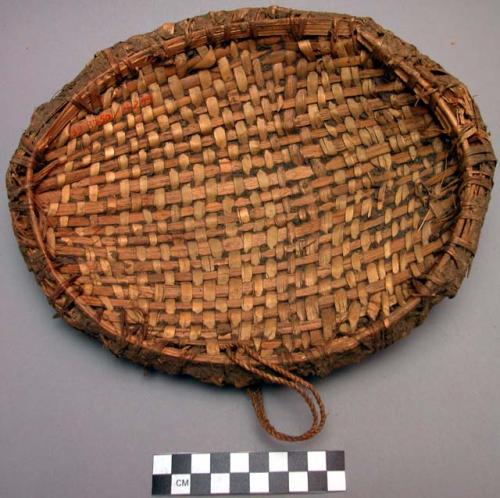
421	419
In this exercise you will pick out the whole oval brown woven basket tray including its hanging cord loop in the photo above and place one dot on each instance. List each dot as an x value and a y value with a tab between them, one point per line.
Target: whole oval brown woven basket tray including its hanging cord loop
257	194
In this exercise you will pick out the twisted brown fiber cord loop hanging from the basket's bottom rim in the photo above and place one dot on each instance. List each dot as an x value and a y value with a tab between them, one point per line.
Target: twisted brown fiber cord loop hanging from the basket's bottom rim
279	375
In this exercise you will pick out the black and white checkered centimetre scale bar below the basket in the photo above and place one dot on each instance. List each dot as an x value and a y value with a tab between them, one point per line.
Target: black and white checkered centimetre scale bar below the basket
248	473
